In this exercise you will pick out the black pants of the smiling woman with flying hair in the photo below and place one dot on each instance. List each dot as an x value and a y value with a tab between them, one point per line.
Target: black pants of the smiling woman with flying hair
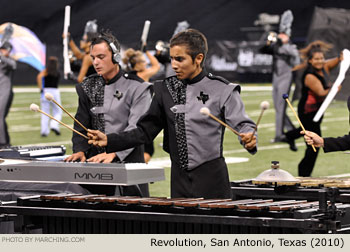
307	164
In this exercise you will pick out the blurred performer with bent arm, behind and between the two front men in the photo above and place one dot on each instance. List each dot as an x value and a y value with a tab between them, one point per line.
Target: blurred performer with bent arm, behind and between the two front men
137	65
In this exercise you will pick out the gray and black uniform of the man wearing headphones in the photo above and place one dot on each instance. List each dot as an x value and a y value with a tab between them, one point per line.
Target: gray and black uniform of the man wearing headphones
111	107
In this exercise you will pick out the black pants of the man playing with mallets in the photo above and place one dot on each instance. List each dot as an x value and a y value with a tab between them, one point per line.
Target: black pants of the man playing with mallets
209	180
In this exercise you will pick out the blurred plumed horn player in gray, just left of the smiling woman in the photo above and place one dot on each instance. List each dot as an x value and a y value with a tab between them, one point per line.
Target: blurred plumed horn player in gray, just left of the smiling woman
285	57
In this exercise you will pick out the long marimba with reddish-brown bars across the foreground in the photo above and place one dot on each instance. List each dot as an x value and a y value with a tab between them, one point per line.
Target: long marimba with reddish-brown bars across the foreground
74	213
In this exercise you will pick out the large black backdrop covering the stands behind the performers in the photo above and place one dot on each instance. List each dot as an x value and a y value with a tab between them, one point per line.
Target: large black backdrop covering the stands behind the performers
222	21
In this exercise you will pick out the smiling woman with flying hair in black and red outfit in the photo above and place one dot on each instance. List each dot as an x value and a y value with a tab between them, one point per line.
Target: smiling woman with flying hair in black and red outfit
316	85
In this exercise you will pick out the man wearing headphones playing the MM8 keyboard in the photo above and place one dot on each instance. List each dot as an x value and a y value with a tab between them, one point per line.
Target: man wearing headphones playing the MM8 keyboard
110	101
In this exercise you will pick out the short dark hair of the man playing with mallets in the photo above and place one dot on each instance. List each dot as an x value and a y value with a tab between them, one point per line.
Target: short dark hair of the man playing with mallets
195	41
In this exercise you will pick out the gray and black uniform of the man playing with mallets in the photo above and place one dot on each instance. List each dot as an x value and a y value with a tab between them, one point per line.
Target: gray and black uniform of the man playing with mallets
194	141
